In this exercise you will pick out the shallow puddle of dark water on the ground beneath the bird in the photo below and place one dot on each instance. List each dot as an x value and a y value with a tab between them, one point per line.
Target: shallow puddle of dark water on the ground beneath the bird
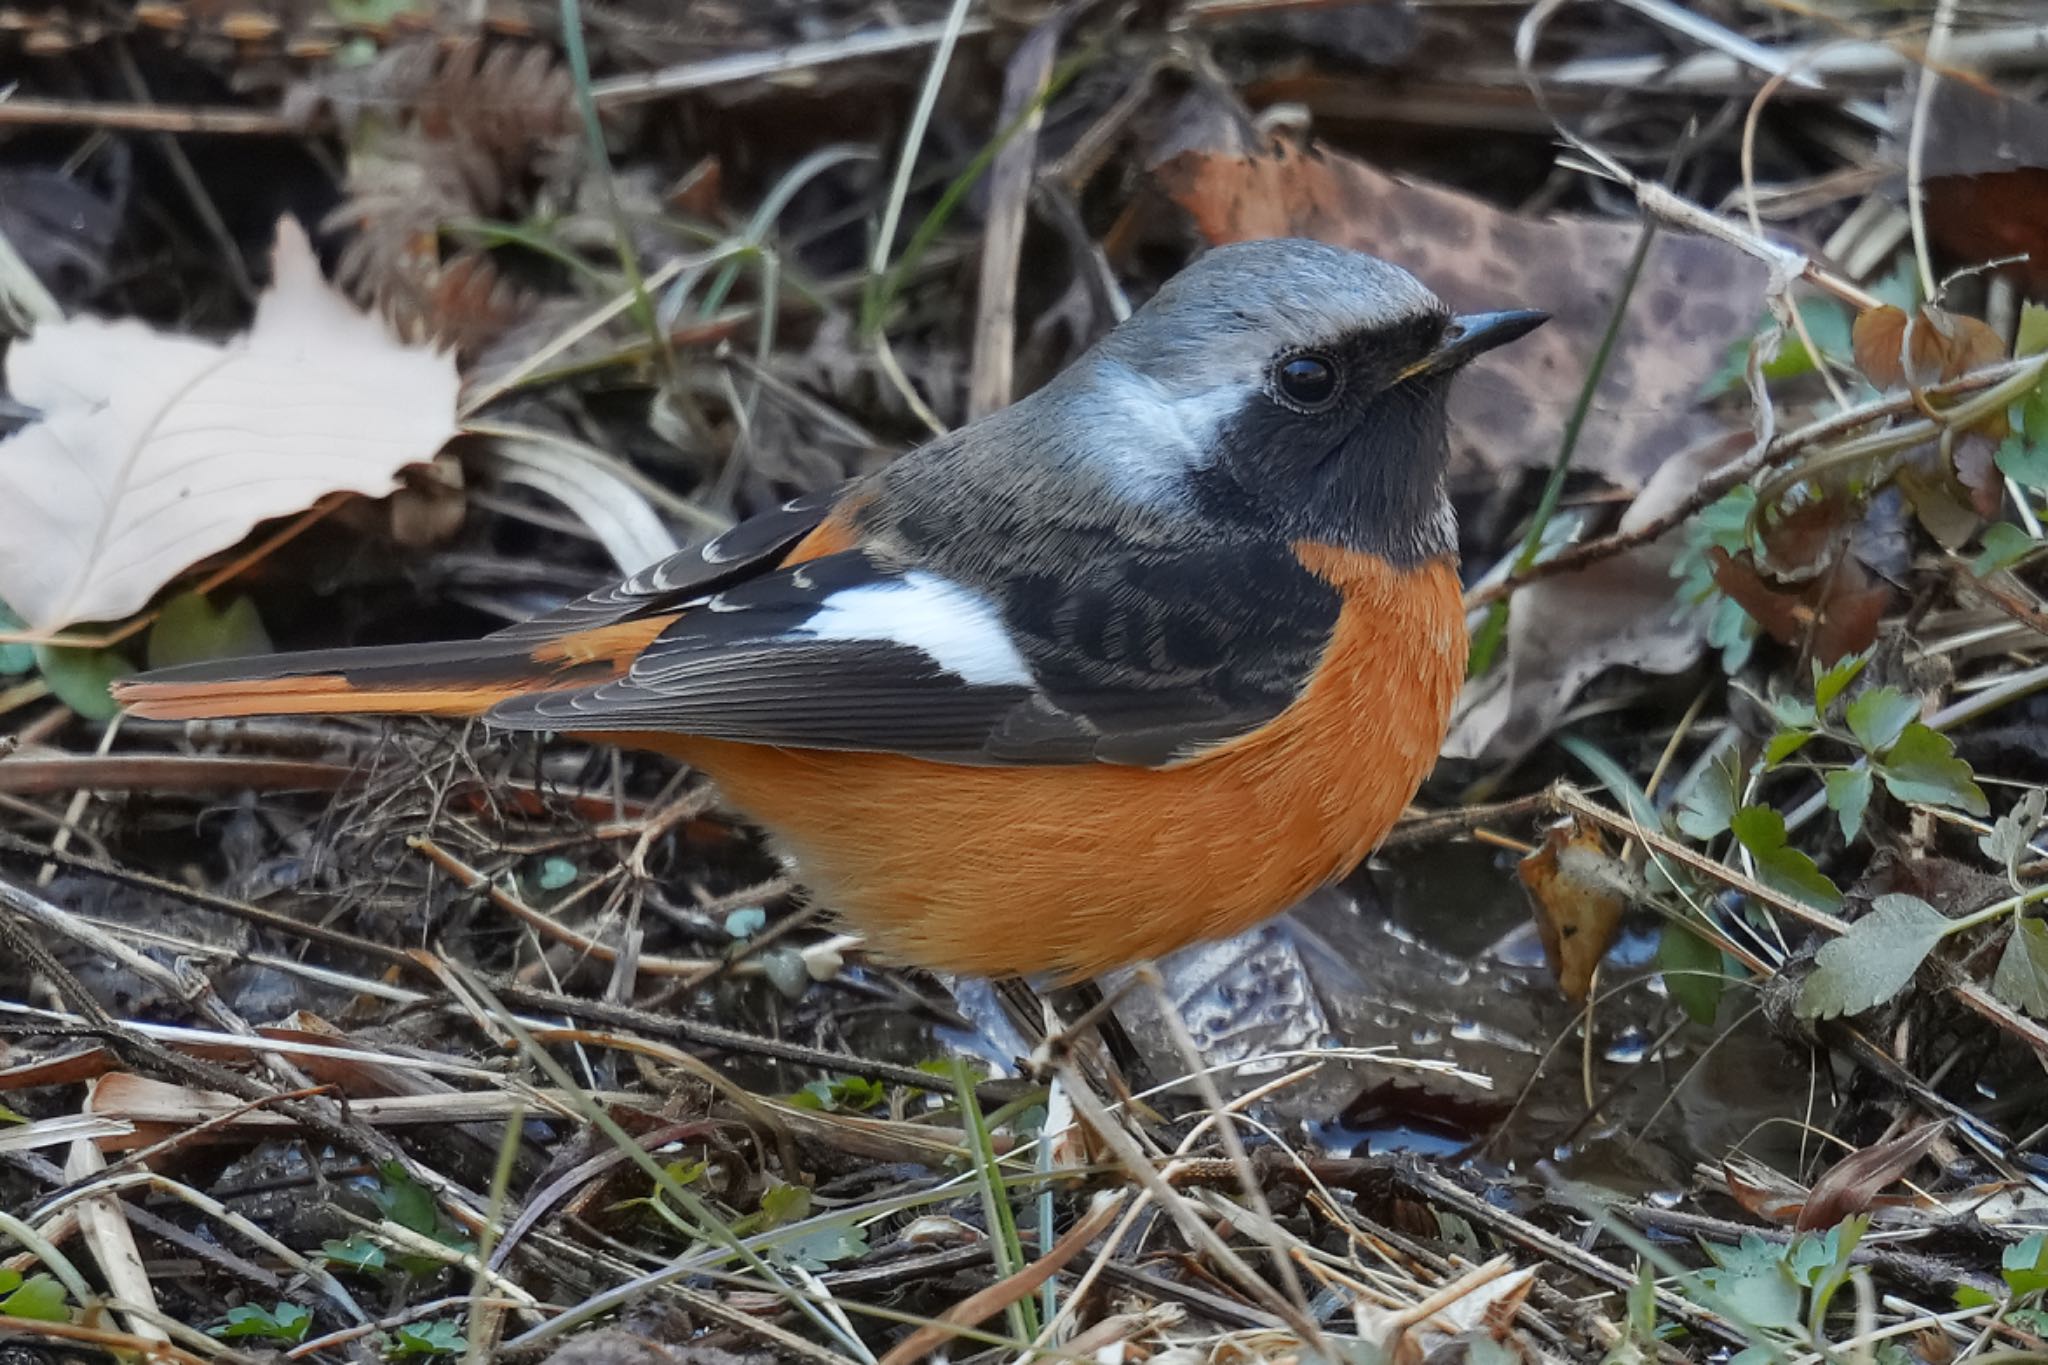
1424	955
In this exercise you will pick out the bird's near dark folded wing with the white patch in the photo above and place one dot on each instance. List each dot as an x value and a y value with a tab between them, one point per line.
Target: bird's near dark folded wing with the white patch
1150	660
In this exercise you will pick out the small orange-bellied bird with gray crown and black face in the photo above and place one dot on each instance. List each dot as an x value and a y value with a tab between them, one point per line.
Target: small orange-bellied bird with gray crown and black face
1132	664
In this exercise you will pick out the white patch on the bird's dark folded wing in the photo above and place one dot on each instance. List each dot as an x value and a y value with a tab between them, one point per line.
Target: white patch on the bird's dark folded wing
953	625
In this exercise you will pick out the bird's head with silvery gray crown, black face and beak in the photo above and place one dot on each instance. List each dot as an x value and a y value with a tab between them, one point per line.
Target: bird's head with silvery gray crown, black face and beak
1289	384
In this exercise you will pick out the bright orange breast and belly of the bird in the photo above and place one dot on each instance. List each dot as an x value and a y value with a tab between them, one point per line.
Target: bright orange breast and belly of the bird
1000	871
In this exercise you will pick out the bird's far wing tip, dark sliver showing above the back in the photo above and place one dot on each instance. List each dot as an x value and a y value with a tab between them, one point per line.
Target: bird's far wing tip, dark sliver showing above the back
730	558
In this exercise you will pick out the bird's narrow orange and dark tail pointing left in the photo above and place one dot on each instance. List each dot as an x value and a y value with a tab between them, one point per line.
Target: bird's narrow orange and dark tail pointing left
462	678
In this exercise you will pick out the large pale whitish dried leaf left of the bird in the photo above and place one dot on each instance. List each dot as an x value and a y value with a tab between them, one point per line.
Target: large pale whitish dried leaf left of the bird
157	451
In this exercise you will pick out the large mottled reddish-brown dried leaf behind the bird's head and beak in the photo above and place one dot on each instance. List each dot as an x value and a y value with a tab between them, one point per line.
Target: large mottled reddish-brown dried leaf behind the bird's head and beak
1695	300
